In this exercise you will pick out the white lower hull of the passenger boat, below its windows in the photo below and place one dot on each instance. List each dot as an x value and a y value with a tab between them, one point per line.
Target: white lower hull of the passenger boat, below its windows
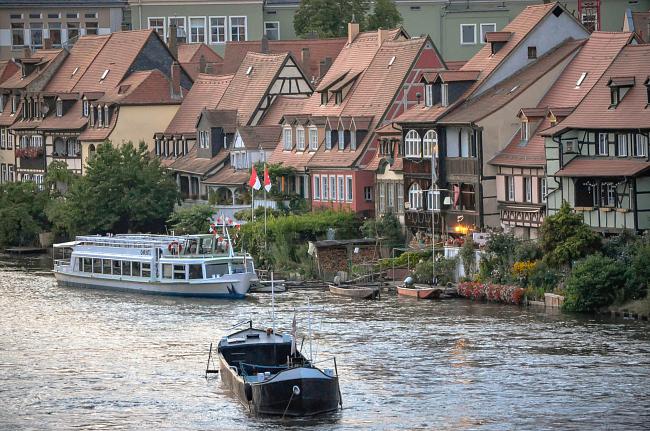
233	287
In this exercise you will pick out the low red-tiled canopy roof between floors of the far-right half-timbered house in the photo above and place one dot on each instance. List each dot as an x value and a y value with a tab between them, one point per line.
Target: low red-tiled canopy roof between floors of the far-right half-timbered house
603	167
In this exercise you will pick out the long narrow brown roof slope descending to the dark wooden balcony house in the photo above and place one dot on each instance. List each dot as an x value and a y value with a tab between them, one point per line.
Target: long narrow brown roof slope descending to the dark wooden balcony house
504	92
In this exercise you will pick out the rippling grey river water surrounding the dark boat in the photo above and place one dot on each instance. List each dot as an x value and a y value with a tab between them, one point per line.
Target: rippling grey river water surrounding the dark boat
73	358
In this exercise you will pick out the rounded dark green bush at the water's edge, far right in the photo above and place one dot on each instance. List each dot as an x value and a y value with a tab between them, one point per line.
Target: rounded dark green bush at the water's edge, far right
593	283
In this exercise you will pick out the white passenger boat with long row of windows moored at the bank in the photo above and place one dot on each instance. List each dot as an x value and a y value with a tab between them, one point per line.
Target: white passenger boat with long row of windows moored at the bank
189	265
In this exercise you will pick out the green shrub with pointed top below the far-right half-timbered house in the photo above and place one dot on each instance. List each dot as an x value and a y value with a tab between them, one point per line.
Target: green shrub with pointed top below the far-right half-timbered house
565	238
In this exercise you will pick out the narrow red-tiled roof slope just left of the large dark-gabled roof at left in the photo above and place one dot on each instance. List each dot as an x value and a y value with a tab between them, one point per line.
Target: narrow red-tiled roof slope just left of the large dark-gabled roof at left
82	54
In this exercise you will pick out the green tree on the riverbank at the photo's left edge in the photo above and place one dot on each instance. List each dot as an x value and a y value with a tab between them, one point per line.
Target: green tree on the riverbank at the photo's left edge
22	211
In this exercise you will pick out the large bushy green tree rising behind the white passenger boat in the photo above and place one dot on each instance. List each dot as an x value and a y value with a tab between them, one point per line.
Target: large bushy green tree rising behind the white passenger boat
125	189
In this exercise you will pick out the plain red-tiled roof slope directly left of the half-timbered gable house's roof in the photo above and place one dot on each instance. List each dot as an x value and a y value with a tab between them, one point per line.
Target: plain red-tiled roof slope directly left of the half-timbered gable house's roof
205	93
